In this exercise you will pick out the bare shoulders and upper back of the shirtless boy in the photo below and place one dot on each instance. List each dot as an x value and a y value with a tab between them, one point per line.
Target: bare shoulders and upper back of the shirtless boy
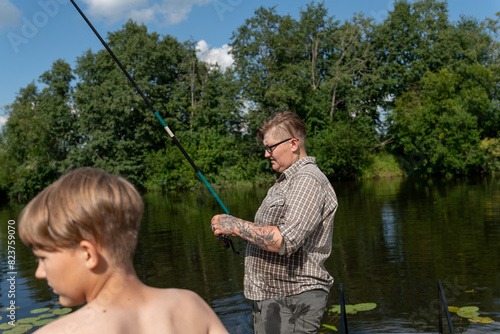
155	310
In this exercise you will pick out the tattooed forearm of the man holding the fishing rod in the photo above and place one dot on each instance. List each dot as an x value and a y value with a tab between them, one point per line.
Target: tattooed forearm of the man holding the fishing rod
258	235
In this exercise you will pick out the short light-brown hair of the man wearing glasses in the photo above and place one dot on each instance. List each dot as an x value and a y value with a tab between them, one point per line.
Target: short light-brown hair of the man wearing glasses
284	124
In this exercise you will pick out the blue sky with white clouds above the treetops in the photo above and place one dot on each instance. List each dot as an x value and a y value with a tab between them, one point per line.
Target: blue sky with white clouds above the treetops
36	33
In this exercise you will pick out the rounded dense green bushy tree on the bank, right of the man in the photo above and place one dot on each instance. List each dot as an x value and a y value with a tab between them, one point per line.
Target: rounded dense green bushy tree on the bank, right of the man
435	124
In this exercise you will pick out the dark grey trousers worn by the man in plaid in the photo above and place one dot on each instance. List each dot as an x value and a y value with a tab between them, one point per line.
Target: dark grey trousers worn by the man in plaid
300	313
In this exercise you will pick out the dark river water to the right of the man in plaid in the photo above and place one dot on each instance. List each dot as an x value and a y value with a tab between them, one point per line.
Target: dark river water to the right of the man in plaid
393	246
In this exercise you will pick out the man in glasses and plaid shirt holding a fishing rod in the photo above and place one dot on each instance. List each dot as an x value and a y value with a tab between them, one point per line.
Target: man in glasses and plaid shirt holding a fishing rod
291	236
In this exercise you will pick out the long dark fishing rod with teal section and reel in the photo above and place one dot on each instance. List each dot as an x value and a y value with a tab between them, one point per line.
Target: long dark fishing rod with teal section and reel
224	240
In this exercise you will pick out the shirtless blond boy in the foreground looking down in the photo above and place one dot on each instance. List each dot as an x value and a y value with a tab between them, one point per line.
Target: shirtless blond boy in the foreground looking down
83	229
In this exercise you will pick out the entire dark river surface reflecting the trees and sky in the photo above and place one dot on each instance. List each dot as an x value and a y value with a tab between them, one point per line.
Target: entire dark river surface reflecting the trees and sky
393	239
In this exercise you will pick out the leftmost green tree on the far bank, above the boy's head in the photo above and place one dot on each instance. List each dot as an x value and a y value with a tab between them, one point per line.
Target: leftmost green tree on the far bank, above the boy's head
38	134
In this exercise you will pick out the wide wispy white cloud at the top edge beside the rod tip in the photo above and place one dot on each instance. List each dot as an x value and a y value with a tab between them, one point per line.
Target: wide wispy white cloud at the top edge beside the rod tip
164	12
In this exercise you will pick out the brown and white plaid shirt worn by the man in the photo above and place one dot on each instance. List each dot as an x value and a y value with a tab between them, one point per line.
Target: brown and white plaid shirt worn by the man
302	204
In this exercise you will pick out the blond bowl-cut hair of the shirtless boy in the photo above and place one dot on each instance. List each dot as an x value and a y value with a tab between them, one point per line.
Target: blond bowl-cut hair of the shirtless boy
85	204
